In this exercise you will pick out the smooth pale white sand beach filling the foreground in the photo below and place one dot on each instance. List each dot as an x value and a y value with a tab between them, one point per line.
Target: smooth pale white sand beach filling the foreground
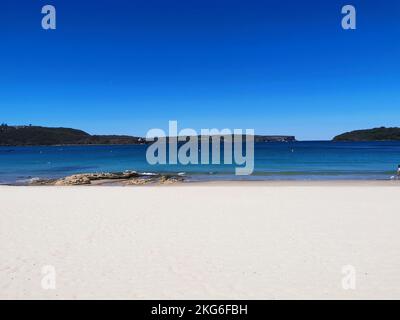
267	240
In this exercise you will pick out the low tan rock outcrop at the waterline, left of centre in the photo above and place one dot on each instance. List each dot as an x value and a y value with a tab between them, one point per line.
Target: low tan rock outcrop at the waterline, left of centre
110	178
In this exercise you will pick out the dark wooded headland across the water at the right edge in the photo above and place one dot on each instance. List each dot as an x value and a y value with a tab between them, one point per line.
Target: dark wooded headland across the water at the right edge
376	134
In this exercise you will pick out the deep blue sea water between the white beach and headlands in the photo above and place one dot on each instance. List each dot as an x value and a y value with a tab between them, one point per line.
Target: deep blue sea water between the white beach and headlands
273	161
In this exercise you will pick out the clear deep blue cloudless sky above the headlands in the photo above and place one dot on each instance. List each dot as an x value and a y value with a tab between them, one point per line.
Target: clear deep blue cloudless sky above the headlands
280	67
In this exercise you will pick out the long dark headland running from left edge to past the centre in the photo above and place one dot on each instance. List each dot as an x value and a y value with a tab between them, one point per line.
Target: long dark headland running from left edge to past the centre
35	135
